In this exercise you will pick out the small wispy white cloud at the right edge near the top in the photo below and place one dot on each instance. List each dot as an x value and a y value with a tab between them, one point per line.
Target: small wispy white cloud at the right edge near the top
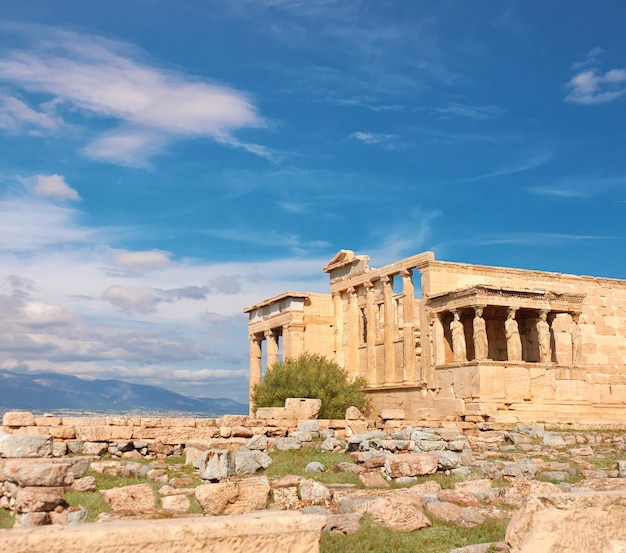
594	86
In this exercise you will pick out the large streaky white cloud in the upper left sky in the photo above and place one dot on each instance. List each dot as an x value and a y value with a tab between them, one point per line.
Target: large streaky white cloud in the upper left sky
112	80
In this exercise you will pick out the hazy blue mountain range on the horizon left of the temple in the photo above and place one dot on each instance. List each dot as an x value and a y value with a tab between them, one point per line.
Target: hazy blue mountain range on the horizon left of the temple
54	392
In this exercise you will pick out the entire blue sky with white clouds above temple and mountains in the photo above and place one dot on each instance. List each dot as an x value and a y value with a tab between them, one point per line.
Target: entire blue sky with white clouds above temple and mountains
165	164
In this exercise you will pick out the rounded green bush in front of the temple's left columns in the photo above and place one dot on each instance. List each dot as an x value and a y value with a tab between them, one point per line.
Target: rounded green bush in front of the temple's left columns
311	376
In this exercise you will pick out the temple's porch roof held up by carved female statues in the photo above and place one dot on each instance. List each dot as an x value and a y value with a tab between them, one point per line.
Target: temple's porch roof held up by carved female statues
522	326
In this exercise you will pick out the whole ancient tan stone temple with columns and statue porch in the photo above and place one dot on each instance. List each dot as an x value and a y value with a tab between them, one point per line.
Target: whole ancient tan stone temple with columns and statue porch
478	343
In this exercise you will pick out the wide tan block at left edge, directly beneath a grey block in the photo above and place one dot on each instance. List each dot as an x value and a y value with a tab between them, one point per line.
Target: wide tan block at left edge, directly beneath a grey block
36	472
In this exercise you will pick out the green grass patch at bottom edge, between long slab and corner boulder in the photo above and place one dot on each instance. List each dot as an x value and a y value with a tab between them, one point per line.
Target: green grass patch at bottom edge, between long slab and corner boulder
441	537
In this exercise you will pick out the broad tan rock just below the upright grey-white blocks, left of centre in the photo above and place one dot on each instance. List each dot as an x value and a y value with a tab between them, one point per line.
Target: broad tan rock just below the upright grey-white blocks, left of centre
234	496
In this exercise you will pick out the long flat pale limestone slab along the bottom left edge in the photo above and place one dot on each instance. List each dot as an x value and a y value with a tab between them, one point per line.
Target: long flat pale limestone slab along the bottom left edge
270	532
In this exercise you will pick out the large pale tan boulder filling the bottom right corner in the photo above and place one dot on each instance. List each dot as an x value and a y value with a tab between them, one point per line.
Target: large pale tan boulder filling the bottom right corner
568	523
